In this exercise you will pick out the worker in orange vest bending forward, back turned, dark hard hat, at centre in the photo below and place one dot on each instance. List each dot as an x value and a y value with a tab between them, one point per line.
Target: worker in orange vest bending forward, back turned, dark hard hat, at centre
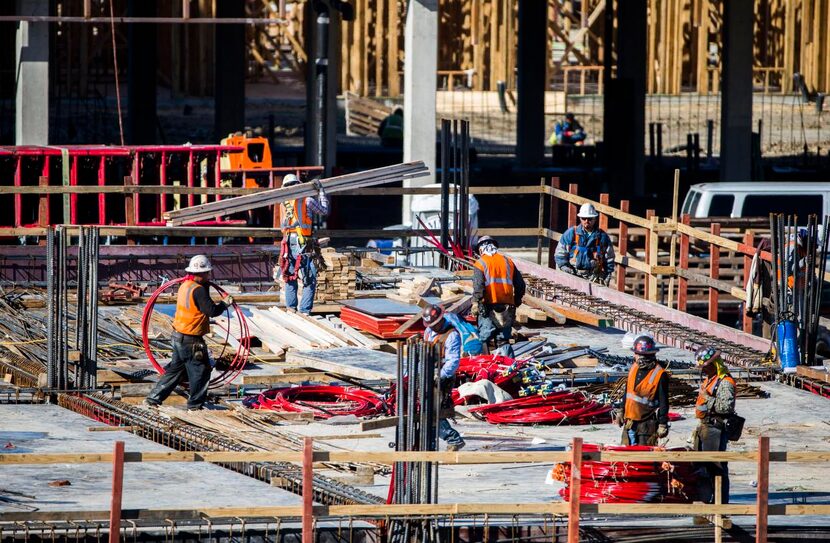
498	289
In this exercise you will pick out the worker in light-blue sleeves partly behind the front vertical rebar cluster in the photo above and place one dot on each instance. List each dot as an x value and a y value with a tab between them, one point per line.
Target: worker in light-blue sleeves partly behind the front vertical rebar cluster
457	338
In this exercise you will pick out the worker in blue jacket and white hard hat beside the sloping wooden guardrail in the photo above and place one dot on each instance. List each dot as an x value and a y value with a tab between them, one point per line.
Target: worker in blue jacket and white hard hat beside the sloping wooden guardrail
585	250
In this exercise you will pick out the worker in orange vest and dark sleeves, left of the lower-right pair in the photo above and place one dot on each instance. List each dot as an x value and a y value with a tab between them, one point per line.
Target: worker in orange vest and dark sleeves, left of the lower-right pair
646	414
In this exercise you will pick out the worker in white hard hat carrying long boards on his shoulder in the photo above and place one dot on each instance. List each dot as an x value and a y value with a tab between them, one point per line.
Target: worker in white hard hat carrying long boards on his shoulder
300	256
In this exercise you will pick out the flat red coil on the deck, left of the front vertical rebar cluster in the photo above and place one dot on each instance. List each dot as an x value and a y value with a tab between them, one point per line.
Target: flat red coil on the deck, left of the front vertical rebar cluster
323	401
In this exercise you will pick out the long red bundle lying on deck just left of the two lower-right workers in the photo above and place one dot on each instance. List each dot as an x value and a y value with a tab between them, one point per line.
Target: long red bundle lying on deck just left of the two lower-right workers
558	408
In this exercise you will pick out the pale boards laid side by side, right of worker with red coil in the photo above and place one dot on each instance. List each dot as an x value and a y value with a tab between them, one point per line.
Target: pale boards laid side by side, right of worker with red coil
280	330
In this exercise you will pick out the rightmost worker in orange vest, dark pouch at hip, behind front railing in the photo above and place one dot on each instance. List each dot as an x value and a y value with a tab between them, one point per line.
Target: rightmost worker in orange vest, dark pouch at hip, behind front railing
715	404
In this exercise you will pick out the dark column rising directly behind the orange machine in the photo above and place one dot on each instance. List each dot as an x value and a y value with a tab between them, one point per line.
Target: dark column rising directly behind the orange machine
229	73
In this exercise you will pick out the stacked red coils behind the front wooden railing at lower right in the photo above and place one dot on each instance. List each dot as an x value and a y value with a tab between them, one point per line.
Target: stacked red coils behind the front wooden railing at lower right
630	482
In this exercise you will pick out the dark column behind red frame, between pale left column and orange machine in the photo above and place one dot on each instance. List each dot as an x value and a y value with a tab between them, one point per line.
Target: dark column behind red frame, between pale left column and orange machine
141	76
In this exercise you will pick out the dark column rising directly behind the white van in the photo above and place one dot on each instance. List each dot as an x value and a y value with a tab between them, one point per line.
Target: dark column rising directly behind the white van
736	91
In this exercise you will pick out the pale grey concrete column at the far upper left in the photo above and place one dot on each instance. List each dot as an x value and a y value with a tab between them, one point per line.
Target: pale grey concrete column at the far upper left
32	90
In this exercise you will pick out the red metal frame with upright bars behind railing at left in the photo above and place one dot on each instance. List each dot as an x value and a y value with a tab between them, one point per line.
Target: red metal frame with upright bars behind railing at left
132	157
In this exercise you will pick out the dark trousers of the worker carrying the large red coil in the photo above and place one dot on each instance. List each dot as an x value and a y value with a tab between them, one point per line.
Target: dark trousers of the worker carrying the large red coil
190	358
